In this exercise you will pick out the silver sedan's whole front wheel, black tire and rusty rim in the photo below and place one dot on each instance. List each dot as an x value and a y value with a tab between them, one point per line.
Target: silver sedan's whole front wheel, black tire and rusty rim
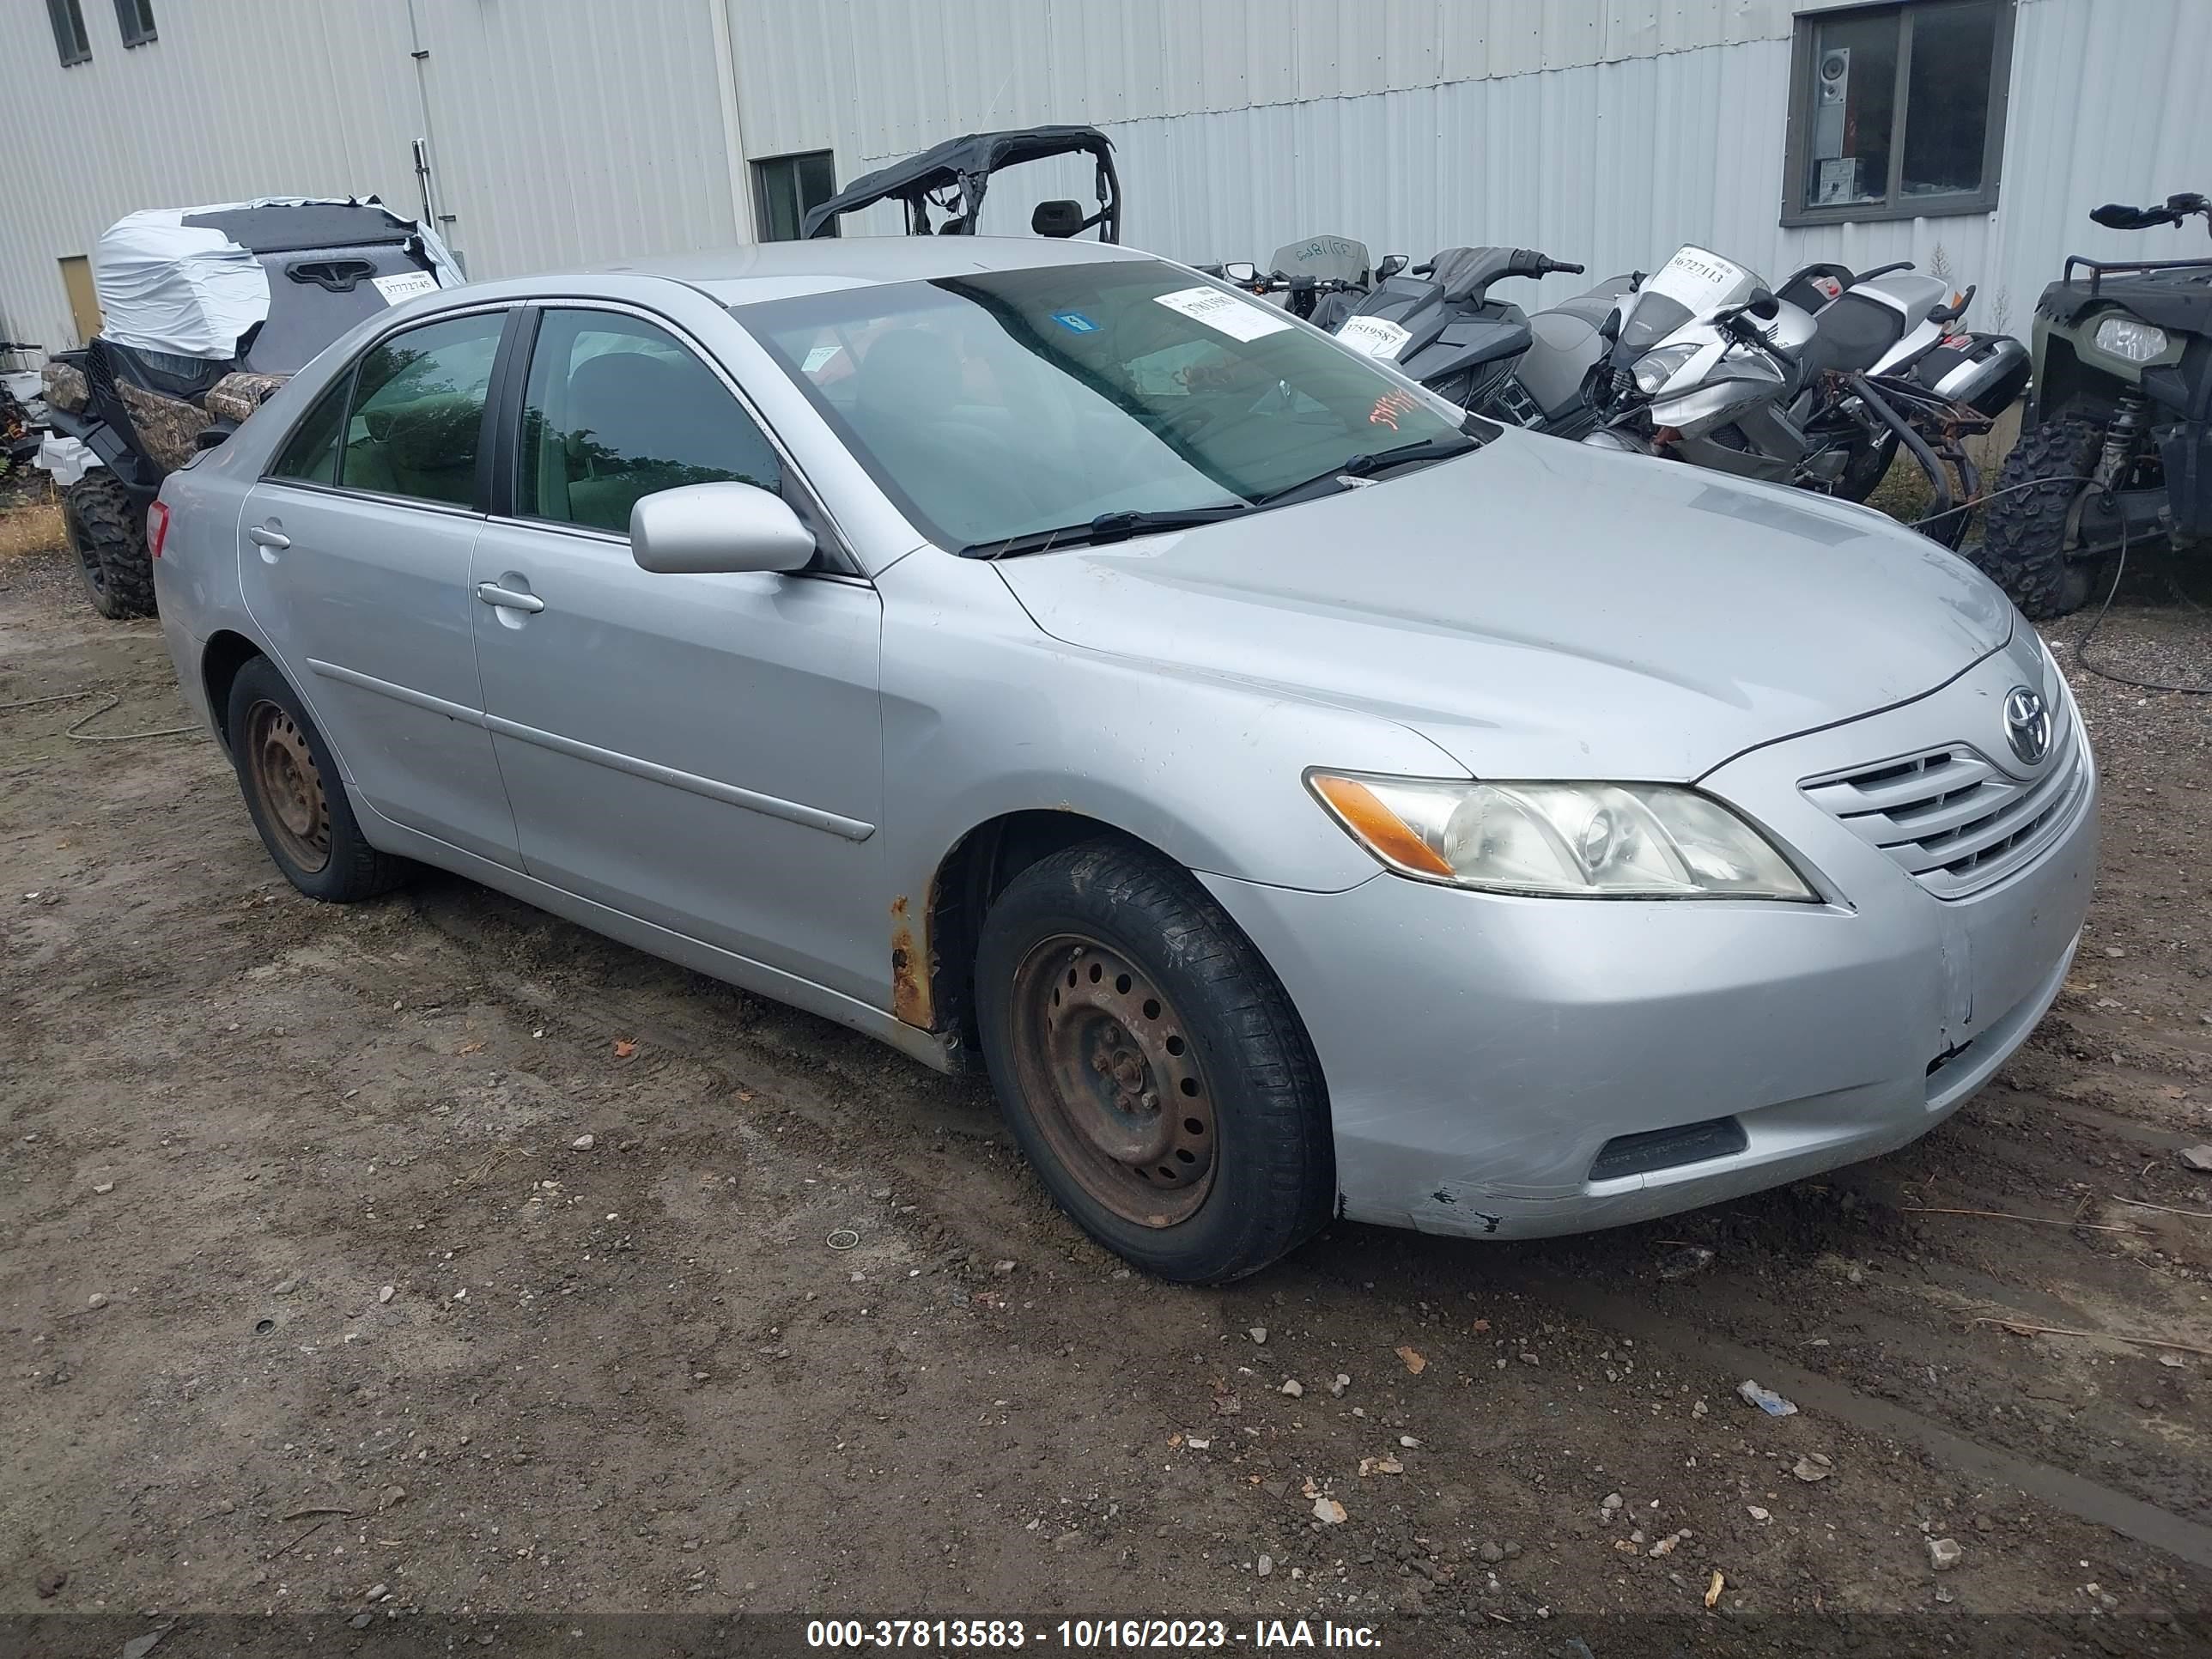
1151	1065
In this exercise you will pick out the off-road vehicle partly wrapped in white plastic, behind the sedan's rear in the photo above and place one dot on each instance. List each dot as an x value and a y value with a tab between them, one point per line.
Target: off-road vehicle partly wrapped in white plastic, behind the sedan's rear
205	315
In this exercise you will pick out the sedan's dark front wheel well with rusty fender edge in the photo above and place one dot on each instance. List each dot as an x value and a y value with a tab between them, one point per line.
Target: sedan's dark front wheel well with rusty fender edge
970	877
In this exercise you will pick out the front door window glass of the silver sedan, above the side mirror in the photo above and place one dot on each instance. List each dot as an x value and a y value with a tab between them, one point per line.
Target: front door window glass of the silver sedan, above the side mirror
618	410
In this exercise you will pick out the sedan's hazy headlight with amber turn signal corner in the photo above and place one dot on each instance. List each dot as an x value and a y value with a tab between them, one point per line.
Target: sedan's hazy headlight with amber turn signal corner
1561	839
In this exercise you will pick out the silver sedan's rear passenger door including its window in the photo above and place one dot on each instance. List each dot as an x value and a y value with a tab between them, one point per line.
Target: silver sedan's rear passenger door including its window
355	563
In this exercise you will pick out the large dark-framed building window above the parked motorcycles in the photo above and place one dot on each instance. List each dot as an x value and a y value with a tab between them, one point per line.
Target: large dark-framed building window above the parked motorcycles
1897	112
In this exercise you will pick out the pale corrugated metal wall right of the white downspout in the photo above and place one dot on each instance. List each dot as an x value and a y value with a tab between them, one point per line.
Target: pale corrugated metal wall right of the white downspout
1605	132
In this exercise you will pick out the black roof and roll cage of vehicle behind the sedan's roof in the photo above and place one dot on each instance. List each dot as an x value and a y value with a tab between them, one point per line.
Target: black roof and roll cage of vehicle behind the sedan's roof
954	176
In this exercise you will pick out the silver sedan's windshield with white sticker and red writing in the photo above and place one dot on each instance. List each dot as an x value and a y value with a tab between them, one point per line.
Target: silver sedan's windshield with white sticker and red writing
1005	406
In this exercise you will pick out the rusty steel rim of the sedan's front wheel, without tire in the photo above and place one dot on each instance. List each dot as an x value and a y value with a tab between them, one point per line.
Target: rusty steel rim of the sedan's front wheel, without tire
1114	1081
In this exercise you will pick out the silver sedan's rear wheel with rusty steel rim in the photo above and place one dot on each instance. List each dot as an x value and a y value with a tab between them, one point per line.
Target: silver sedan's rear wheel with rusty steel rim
311	833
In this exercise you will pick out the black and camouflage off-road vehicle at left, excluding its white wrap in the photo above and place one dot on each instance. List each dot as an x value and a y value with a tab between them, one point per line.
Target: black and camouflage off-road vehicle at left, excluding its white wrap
145	413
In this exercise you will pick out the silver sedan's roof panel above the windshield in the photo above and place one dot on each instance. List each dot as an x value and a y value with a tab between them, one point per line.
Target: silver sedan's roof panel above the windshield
784	269
